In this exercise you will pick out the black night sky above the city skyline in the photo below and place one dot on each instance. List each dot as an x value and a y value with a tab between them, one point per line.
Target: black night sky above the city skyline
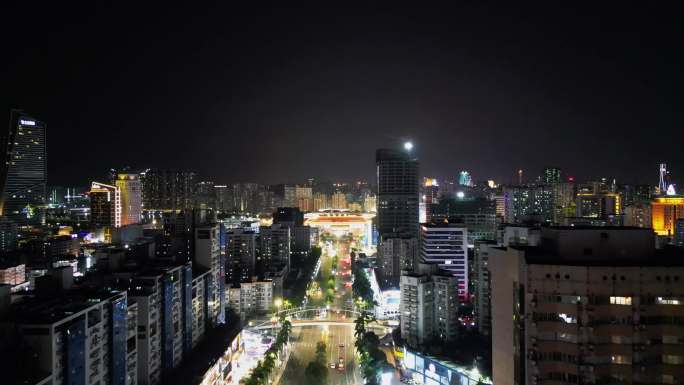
281	94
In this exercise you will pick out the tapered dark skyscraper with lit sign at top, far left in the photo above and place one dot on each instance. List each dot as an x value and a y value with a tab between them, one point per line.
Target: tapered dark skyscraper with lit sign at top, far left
23	174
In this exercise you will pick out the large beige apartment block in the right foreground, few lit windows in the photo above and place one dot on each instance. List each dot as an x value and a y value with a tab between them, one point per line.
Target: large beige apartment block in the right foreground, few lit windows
586	306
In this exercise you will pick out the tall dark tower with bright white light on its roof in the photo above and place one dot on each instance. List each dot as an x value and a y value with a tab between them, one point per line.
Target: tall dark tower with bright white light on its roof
397	176
